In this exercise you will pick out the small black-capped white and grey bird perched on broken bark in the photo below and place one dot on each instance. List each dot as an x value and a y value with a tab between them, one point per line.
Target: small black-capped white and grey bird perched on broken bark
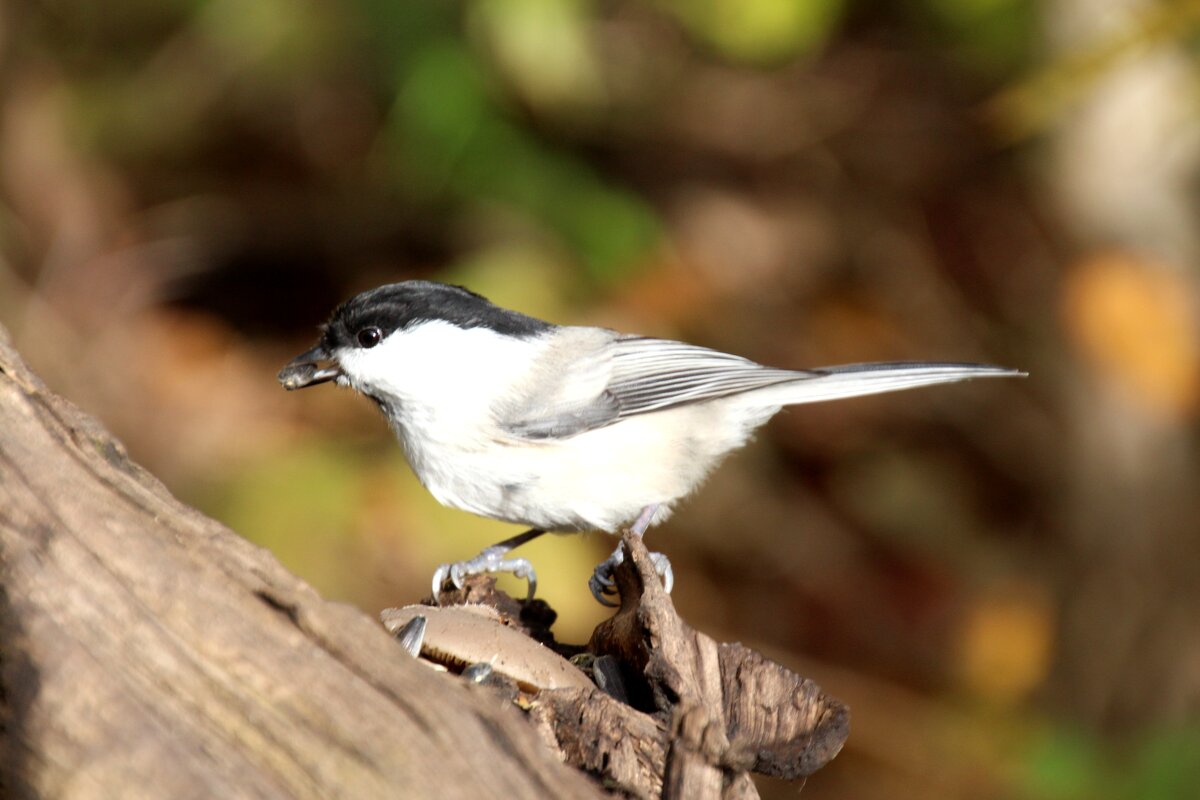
562	429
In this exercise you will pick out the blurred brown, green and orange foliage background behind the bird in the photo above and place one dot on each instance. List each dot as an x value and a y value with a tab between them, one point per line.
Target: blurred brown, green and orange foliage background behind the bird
1001	579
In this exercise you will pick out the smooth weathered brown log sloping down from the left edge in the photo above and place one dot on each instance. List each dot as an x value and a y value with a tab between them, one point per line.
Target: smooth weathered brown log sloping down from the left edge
148	652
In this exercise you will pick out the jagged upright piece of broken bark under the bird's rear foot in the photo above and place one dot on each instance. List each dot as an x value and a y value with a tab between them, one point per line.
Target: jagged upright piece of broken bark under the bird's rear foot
730	709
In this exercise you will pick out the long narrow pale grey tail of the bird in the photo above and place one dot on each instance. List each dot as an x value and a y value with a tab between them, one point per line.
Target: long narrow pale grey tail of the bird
857	380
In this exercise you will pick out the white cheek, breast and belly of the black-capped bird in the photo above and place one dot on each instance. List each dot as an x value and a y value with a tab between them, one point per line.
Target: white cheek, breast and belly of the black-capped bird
445	383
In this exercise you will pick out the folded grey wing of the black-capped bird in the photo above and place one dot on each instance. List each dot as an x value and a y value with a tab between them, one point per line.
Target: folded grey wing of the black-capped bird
625	376
